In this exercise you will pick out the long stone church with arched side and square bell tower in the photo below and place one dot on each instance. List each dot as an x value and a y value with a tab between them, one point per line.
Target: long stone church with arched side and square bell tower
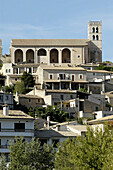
60	51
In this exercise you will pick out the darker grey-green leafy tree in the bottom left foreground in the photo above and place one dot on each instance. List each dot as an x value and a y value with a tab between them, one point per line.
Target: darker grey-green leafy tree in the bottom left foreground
30	156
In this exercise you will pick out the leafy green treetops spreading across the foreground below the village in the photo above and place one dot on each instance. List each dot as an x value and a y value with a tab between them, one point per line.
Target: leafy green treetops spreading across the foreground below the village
93	151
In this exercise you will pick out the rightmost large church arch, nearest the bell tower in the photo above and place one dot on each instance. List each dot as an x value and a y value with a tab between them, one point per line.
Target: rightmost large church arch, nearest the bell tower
66	56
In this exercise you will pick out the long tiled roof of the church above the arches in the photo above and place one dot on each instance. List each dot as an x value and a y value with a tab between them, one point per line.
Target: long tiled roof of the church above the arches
49	42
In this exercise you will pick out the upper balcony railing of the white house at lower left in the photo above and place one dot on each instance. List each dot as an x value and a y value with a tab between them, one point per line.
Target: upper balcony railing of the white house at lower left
17	130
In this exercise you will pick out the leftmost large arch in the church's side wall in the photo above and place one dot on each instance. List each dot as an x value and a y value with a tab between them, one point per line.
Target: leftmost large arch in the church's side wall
18	56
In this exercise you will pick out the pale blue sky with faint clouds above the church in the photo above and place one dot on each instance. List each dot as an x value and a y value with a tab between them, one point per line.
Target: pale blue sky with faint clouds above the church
55	19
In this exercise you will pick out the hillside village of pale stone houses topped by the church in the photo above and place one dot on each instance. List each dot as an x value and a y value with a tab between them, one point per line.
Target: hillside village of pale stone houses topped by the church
67	75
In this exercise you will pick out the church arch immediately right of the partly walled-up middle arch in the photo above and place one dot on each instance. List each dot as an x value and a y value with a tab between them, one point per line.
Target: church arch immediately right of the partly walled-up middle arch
54	56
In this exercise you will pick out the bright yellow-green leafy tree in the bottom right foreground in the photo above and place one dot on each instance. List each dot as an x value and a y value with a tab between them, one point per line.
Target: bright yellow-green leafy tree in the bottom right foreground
95	151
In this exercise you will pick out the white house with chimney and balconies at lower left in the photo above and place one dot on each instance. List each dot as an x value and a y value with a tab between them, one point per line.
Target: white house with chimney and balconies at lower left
14	123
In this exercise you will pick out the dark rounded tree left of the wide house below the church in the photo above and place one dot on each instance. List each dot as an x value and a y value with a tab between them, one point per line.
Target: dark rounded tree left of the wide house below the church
28	80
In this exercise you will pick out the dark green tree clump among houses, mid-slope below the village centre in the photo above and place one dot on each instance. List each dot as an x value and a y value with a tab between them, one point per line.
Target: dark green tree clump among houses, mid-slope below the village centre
56	114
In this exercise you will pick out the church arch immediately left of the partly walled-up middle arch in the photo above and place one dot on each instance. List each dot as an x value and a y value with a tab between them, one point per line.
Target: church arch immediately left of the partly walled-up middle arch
30	56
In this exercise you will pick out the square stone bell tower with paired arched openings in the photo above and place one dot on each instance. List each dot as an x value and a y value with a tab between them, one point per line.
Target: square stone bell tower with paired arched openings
95	37
